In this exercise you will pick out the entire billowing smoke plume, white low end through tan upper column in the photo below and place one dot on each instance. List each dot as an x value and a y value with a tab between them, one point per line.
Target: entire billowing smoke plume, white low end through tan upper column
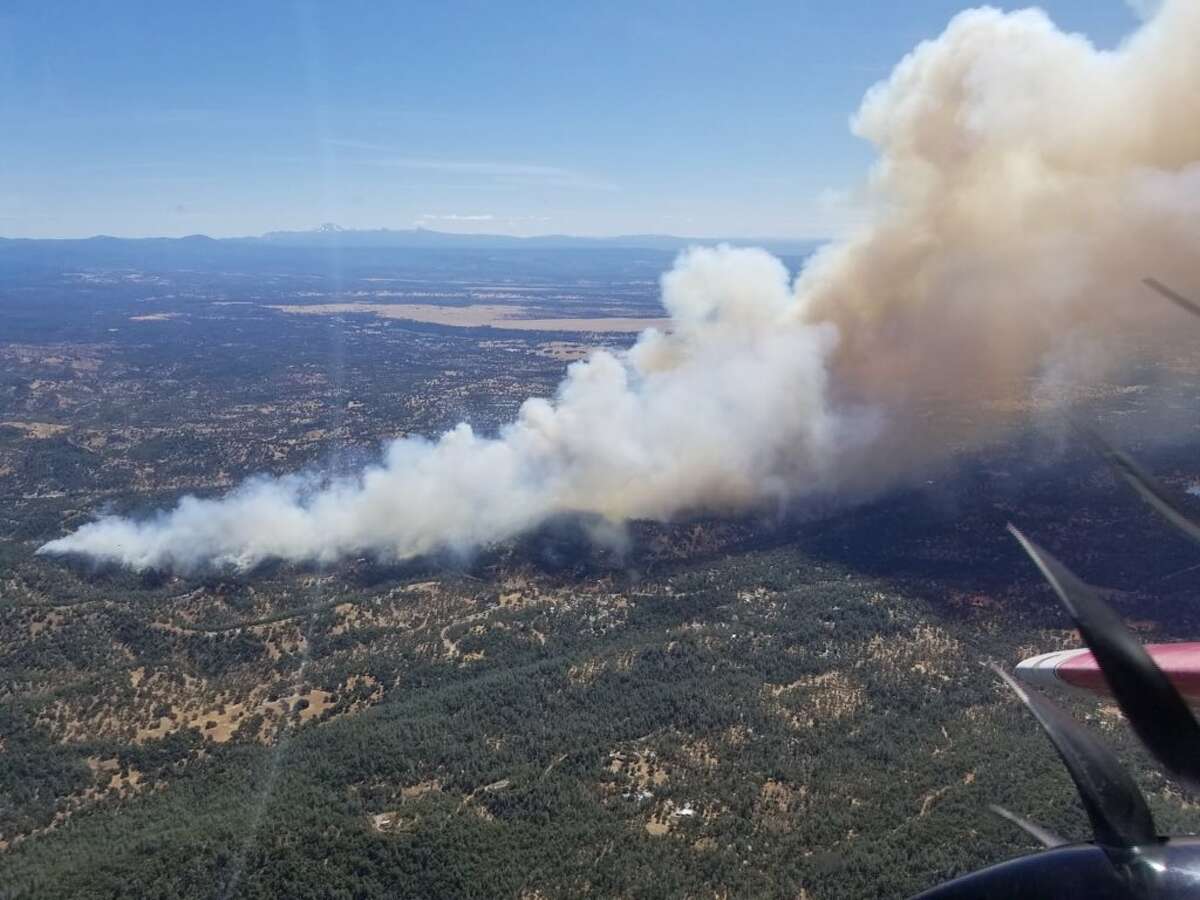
1027	181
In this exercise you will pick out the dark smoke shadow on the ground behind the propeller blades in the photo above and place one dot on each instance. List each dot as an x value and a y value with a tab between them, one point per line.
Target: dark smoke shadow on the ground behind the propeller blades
946	539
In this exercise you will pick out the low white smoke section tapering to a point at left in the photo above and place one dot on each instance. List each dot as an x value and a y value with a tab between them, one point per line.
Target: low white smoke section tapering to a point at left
729	410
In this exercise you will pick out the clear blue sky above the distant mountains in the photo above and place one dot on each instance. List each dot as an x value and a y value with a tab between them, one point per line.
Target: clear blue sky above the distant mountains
221	118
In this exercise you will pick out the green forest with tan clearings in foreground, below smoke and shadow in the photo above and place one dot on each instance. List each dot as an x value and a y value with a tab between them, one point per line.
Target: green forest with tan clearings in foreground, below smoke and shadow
760	724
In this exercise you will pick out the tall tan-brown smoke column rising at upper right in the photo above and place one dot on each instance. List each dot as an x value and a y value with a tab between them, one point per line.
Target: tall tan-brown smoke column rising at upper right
1027	183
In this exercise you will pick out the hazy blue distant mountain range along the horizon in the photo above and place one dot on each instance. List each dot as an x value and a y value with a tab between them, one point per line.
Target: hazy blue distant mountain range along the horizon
291	248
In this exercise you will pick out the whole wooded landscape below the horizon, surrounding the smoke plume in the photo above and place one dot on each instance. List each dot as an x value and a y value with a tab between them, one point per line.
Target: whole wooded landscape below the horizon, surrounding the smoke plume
791	703
